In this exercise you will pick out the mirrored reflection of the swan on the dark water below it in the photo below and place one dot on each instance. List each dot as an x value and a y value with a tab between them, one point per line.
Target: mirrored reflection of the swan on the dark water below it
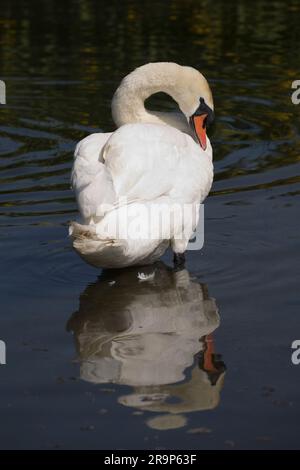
151	328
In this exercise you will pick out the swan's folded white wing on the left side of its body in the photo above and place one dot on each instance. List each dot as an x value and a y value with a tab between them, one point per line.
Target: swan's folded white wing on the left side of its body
91	180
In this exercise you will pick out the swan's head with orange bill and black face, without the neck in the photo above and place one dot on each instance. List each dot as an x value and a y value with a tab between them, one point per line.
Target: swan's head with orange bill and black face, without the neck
194	98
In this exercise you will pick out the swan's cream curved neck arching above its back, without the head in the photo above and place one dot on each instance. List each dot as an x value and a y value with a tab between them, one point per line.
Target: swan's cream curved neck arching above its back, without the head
128	101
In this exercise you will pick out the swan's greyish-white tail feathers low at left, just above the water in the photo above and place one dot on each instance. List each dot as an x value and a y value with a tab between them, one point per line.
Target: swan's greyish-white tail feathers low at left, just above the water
100	253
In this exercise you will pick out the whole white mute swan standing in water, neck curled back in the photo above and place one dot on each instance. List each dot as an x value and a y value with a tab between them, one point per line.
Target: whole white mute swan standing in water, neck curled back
138	189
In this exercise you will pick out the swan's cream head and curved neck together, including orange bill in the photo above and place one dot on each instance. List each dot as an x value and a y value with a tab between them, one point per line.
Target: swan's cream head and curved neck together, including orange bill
186	85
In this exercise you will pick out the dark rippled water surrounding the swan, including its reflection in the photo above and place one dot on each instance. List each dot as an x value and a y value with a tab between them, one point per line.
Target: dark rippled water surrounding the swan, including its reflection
97	364
